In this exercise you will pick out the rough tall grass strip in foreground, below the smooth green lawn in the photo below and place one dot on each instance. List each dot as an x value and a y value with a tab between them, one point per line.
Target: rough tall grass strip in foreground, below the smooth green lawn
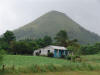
53	68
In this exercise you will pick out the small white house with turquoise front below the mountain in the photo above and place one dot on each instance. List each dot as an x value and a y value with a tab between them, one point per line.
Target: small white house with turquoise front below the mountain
58	51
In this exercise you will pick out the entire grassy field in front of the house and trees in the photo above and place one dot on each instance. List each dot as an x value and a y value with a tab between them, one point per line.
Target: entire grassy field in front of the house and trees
39	65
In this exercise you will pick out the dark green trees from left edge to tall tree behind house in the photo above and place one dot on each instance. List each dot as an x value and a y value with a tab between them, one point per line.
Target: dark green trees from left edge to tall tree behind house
8	43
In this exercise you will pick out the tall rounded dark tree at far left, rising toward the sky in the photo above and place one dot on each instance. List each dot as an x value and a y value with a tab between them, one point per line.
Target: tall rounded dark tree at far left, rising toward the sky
9	36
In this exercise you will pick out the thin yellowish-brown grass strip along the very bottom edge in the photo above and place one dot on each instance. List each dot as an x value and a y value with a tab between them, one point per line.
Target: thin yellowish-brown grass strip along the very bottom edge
63	73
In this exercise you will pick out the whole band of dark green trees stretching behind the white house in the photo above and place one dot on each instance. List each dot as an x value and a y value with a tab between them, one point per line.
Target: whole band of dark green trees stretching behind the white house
9	44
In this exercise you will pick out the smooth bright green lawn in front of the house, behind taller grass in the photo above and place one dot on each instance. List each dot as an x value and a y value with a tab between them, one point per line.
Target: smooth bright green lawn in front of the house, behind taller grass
19	60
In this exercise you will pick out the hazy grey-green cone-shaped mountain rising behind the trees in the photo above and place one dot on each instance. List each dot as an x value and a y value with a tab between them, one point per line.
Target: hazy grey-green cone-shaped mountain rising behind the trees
51	23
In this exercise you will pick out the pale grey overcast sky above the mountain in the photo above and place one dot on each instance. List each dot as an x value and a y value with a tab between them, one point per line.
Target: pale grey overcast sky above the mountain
16	13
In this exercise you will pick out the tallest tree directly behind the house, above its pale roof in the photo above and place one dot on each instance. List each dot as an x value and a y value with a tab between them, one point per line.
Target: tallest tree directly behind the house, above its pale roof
61	38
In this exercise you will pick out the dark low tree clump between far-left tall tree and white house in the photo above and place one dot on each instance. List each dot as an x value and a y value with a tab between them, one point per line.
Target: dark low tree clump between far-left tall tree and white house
22	47
